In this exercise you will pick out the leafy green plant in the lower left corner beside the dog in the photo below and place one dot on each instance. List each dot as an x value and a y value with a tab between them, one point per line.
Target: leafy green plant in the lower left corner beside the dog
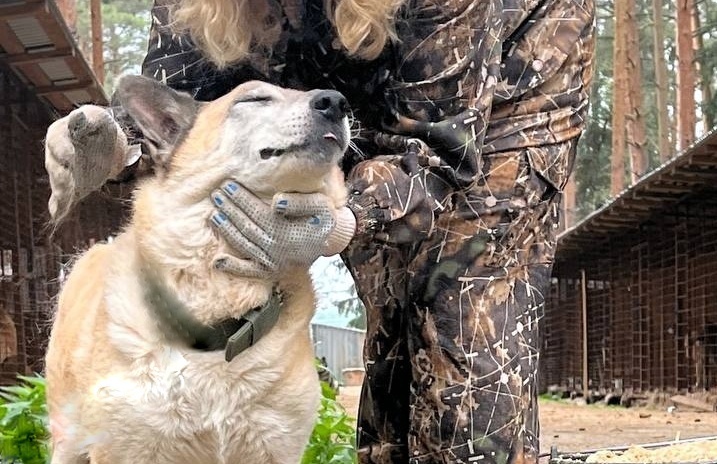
24	432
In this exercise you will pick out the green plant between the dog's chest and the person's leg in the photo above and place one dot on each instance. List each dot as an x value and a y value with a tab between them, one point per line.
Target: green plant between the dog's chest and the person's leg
333	440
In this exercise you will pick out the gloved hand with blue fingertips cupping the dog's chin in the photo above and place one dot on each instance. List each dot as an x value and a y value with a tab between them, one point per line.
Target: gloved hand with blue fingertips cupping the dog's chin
294	231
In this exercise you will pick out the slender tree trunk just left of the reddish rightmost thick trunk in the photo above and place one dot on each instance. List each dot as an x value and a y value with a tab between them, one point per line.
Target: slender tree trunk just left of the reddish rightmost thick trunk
661	91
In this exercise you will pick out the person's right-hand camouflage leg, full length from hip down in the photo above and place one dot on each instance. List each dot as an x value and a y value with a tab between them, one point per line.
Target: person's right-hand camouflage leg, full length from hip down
478	285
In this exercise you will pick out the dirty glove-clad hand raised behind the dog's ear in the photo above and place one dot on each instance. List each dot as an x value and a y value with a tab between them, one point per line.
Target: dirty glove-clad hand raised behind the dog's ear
82	151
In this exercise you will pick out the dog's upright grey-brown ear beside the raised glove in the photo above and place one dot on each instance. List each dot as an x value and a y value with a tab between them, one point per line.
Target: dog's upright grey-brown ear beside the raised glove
163	115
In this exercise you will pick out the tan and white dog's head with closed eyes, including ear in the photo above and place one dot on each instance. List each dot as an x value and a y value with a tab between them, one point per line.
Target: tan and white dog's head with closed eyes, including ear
269	138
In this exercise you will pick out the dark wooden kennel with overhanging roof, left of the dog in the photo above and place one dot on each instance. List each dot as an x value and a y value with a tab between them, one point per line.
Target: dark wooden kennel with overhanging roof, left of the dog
42	76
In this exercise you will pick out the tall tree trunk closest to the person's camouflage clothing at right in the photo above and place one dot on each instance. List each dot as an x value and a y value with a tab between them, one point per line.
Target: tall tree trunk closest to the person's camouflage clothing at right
619	100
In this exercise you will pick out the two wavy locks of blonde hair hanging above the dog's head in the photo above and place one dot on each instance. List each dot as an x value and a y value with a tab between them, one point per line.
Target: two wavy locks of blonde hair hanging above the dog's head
225	30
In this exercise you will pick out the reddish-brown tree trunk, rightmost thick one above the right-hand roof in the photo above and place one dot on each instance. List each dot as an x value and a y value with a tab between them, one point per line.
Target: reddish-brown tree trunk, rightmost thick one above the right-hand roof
685	75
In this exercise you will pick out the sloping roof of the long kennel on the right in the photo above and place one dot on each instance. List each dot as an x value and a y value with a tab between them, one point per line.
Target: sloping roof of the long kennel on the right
690	174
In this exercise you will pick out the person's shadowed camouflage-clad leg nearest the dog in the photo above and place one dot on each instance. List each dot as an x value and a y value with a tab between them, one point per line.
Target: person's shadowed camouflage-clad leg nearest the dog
383	412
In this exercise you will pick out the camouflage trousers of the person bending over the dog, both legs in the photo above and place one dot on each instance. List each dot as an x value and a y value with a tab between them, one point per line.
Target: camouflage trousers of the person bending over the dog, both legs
453	333
